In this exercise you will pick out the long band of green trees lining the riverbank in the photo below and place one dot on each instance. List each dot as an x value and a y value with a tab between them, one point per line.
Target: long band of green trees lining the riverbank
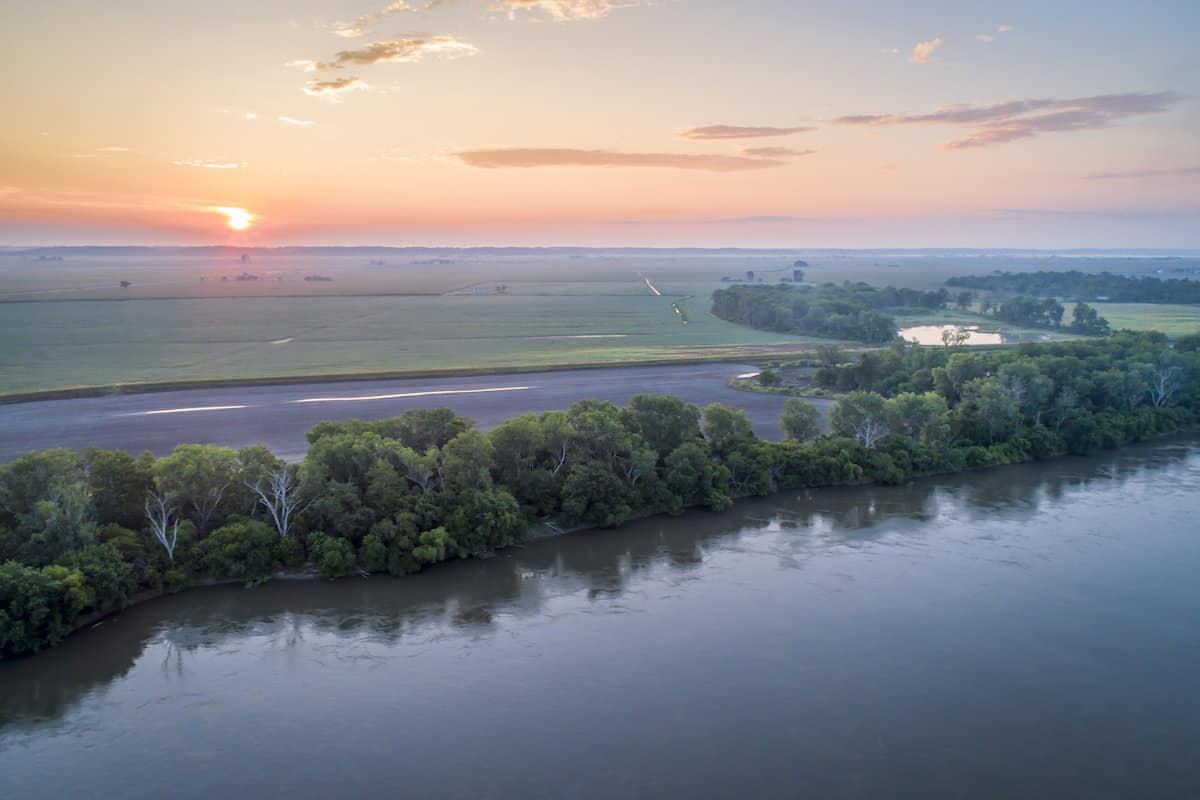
85	533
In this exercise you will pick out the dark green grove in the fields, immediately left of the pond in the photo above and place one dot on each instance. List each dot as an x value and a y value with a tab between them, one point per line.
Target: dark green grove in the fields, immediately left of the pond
848	311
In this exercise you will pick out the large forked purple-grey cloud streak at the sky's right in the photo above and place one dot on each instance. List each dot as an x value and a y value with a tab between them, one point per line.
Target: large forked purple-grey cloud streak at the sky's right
1024	119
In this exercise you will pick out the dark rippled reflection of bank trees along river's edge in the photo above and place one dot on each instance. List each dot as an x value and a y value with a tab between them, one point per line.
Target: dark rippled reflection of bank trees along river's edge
365	617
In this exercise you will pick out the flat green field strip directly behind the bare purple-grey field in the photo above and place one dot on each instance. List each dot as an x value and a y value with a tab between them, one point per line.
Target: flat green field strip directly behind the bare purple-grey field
93	344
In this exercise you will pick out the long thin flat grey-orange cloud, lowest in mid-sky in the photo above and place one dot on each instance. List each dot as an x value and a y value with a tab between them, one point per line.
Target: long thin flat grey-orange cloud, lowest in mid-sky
527	158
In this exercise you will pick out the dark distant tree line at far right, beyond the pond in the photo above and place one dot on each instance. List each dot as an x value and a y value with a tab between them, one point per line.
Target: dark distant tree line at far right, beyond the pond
1085	287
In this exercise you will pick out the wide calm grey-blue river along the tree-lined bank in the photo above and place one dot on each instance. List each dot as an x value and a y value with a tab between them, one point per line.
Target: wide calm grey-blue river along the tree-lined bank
1023	631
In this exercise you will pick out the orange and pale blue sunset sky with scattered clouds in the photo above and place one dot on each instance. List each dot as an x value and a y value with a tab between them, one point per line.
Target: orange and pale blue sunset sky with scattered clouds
602	123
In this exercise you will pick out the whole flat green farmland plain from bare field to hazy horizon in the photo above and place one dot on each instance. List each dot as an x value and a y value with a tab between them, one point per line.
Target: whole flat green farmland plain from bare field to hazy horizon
189	317
